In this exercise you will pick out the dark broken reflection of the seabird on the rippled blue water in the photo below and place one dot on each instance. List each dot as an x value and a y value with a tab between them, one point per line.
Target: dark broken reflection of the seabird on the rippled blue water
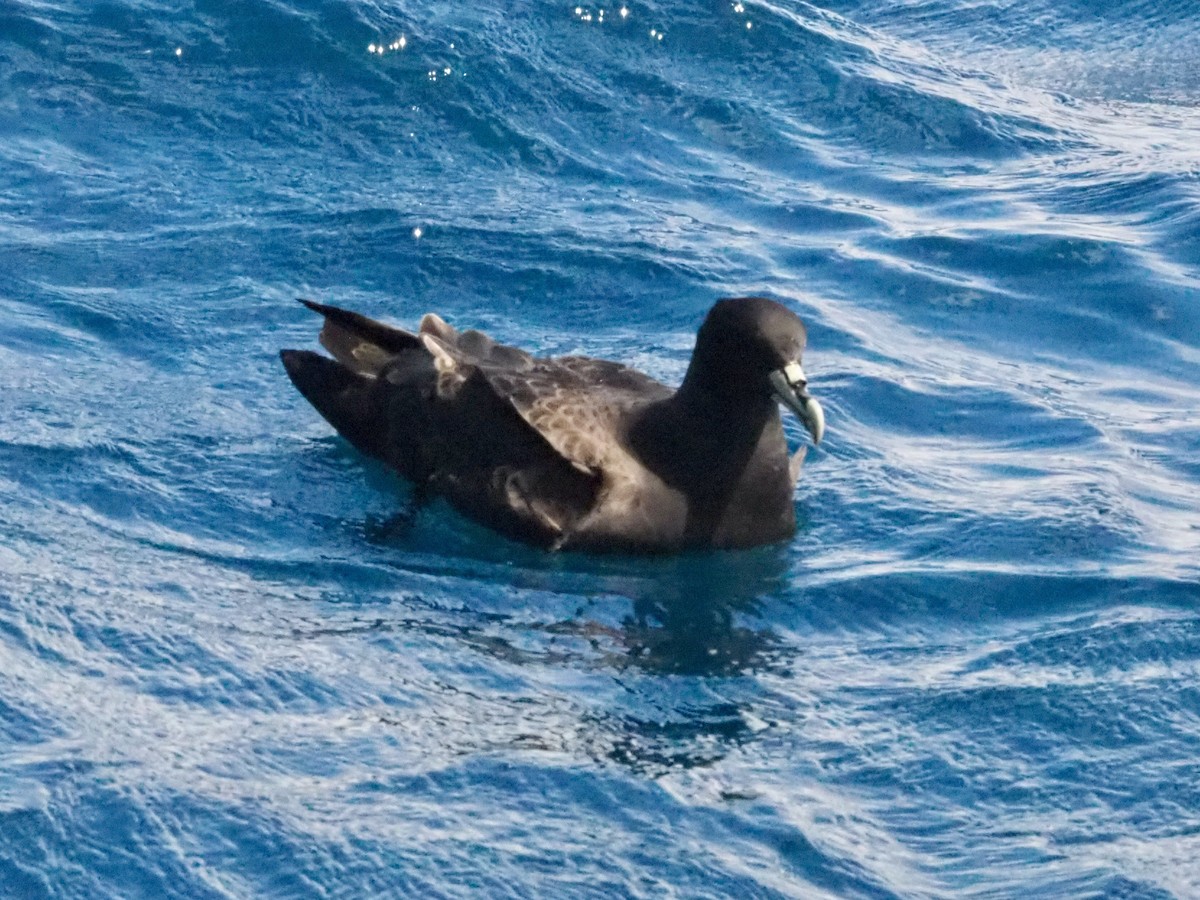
661	626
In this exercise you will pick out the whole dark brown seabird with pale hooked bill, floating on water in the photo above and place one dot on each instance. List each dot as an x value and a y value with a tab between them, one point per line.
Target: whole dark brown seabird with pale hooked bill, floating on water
572	453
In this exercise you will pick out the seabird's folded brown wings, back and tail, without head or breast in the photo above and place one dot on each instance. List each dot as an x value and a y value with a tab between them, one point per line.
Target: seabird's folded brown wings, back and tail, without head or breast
523	443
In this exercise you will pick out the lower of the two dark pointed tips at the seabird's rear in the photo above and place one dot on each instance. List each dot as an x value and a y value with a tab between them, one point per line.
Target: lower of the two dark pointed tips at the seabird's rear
346	399
